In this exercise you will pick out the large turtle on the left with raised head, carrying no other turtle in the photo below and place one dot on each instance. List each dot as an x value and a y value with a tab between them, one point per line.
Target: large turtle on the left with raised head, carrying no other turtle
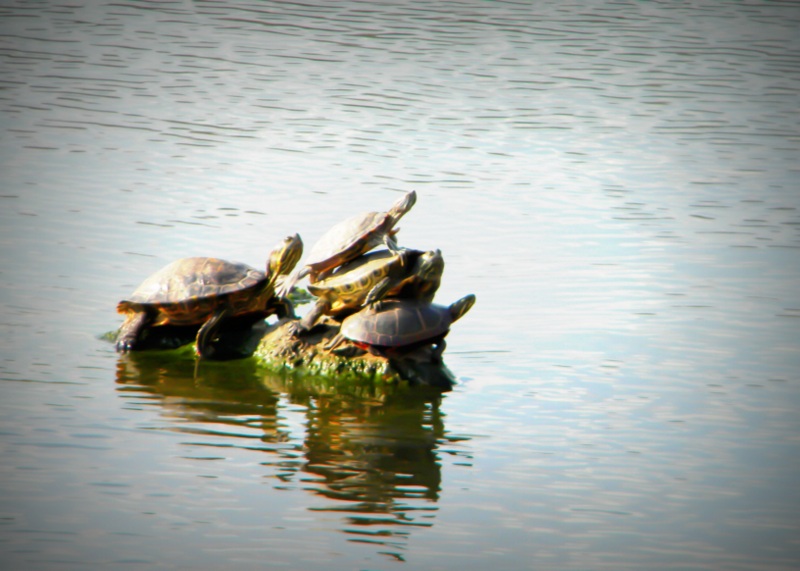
201	291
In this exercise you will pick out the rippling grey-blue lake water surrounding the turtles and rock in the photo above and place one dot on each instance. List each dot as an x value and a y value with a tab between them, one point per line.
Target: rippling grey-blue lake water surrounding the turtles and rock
616	182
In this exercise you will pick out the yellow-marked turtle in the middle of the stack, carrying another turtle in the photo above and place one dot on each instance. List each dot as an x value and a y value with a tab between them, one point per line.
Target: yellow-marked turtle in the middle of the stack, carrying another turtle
371	277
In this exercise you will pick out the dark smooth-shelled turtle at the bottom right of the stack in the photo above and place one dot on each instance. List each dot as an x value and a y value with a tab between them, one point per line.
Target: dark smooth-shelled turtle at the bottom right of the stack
400	326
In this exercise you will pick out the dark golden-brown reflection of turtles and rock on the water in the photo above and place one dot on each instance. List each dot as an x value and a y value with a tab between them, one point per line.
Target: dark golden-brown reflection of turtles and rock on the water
370	454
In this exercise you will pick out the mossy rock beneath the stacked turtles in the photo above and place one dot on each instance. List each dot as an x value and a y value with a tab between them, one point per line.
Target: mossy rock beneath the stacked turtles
304	355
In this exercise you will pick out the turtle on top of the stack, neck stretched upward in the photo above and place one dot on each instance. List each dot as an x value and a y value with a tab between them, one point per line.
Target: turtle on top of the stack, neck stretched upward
349	239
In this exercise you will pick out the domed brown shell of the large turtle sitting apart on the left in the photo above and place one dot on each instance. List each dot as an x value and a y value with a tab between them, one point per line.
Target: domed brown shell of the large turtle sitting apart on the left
189	290
